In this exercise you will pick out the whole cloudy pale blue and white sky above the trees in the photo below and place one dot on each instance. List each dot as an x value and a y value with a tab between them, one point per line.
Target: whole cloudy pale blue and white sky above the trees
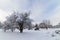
40	9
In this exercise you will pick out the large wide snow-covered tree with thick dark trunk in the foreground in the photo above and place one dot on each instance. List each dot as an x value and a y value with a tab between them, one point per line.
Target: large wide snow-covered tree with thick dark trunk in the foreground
19	21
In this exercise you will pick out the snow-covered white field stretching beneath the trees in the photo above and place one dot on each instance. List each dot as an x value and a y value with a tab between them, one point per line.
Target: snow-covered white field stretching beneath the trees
42	34
